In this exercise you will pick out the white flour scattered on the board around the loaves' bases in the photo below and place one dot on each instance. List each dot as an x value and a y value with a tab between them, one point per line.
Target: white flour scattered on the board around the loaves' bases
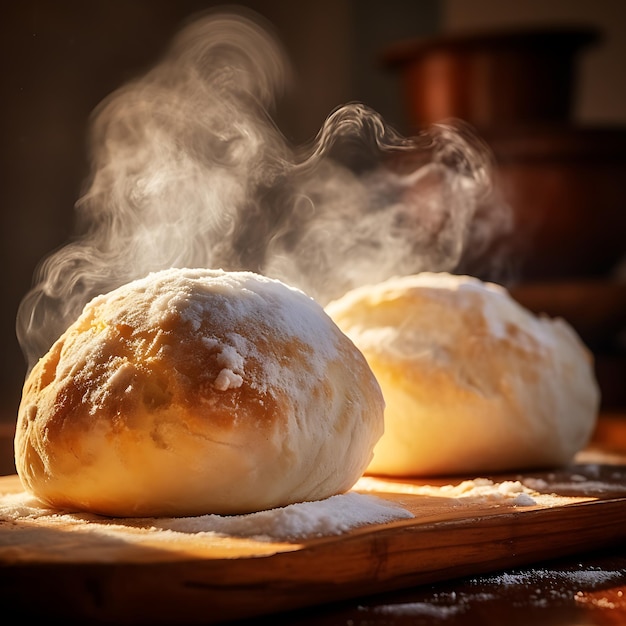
332	516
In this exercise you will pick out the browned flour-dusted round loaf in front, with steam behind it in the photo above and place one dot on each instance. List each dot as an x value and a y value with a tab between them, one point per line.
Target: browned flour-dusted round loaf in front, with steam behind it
197	391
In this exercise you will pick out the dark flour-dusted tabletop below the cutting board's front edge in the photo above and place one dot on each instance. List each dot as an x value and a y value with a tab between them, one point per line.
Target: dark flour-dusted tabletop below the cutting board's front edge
586	590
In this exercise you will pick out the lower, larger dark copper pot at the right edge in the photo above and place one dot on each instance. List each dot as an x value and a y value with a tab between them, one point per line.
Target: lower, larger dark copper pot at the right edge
566	188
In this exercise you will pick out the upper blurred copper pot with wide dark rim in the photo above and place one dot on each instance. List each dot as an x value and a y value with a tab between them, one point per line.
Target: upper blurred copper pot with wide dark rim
491	79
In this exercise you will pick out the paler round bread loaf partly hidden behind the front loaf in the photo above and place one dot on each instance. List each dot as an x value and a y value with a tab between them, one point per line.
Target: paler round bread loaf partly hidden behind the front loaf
473	382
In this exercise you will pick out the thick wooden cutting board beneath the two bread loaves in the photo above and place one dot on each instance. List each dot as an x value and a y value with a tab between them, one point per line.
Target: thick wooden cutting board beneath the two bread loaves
133	576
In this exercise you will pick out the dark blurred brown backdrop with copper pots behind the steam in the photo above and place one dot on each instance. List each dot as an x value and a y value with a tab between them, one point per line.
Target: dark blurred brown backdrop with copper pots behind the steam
543	82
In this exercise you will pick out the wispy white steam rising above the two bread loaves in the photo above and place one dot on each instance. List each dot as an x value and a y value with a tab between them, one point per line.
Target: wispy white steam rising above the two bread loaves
189	170
